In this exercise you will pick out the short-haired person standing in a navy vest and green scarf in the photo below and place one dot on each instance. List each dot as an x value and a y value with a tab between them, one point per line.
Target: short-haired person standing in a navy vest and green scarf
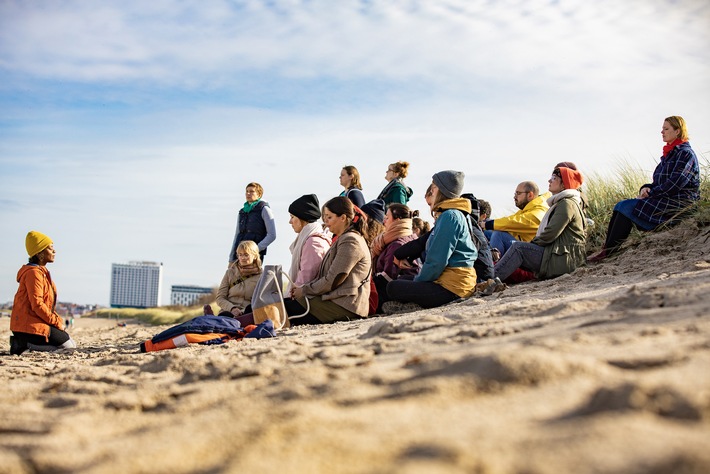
255	222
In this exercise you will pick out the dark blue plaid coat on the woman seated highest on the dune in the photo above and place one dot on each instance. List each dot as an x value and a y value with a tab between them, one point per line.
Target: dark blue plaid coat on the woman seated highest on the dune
676	185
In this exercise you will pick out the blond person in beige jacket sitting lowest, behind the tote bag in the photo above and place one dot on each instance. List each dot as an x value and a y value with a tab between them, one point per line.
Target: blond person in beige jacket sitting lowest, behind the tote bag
239	281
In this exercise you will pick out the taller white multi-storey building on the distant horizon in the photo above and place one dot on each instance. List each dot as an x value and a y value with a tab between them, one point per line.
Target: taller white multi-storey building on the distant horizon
136	284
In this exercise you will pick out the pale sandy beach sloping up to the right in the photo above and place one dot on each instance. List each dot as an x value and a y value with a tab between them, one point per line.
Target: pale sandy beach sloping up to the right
604	370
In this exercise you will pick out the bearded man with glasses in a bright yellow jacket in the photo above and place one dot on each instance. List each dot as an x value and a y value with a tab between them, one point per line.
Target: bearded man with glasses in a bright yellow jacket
521	226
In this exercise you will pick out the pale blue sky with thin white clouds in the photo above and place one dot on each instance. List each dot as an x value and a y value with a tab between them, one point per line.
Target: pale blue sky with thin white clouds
129	129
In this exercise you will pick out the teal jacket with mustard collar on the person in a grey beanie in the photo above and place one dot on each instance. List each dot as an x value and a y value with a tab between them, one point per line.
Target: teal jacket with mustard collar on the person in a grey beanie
450	243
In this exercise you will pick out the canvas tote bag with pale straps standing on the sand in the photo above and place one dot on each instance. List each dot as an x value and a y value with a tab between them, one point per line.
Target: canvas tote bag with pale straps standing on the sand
267	302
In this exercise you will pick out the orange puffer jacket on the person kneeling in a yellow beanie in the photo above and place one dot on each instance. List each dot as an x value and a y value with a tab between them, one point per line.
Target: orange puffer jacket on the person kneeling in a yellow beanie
34	308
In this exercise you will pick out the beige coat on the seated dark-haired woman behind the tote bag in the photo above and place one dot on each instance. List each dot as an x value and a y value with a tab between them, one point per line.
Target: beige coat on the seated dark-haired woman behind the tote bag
344	275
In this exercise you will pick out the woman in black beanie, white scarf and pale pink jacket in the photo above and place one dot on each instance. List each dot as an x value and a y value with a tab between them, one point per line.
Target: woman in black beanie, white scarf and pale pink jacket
311	244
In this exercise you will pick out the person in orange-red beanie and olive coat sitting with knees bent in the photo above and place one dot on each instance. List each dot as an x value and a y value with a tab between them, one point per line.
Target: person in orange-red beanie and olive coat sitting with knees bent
559	245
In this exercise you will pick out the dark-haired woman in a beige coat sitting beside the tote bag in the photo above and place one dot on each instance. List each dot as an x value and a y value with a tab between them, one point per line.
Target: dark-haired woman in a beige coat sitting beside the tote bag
341	290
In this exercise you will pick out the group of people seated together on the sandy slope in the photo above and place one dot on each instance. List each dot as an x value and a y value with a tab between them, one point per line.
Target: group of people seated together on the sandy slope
367	255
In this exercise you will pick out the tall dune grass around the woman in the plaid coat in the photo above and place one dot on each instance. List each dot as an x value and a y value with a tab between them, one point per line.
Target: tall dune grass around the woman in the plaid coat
624	182
